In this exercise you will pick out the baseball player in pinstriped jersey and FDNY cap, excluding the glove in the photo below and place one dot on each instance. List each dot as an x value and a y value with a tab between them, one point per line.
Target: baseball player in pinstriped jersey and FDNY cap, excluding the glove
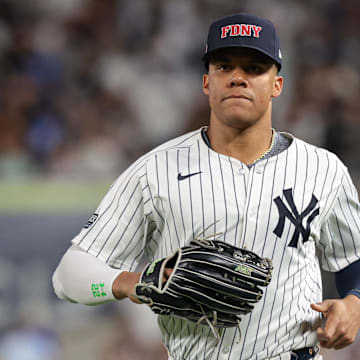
261	189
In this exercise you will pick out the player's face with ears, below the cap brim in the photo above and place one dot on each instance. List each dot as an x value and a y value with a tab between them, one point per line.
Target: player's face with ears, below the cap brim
240	84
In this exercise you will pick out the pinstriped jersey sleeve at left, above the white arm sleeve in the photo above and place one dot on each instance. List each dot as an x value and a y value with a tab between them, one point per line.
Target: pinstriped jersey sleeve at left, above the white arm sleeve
117	232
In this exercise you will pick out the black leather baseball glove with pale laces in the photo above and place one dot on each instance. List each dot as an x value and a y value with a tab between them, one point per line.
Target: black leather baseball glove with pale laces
211	281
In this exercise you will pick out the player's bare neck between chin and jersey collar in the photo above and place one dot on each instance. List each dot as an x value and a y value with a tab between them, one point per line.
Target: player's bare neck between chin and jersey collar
247	144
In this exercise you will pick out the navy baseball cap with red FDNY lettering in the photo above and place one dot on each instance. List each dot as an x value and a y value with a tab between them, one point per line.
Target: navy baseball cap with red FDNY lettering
244	30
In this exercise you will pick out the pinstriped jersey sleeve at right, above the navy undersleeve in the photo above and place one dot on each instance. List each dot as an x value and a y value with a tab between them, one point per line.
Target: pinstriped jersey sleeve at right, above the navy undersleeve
340	233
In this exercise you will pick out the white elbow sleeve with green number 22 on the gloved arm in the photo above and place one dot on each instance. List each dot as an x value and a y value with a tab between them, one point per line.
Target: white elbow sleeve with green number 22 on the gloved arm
81	277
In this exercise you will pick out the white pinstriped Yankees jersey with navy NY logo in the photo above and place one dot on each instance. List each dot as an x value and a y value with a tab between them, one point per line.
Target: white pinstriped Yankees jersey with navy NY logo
284	207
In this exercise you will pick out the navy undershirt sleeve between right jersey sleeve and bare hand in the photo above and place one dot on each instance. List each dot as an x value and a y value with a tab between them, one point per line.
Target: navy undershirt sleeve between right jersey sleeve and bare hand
348	280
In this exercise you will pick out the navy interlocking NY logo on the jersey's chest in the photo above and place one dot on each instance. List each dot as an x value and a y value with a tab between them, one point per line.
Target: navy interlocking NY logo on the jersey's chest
296	219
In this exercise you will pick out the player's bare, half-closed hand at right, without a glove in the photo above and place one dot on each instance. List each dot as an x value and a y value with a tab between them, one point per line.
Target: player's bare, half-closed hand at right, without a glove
342	321
